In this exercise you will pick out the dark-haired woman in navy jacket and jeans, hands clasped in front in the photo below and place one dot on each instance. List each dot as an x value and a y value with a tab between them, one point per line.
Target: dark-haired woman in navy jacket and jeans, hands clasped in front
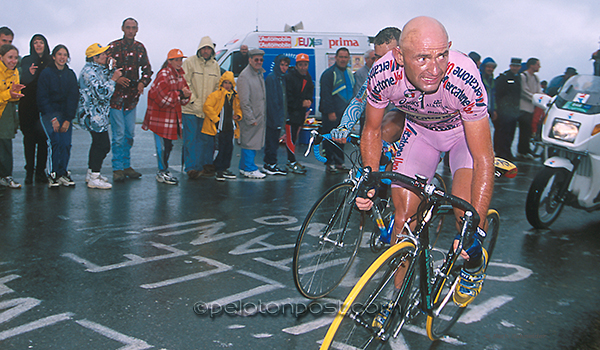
57	98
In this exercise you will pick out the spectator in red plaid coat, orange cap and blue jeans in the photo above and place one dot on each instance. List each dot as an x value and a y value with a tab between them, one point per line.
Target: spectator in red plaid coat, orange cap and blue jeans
168	93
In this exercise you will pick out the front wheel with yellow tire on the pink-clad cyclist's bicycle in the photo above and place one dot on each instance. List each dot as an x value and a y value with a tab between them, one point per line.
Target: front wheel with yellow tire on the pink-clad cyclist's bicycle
363	302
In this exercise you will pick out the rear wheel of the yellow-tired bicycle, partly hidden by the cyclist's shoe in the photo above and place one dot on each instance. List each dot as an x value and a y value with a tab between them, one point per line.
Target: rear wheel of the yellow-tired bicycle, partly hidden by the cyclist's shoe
438	326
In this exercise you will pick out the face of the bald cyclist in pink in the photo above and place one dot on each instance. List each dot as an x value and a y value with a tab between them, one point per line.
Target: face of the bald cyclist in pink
425	60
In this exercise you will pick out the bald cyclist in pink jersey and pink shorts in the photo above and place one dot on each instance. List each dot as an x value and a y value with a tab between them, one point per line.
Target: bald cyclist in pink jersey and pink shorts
444	101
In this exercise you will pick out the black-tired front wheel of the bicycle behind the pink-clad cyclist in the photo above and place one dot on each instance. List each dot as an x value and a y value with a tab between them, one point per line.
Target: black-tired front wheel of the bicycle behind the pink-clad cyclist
320	265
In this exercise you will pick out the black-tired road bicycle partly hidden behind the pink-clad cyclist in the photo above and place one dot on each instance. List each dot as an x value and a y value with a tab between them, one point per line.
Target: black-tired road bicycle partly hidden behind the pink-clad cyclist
331	233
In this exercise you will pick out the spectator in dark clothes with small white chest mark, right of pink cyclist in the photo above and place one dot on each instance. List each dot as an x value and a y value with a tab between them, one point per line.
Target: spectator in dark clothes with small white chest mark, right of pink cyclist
508	96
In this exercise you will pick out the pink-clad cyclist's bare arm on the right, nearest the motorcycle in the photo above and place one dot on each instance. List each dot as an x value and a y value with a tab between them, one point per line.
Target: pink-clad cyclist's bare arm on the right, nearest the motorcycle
479	141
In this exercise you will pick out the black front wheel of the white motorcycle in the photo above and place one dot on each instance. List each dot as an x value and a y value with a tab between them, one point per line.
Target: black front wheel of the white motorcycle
544	200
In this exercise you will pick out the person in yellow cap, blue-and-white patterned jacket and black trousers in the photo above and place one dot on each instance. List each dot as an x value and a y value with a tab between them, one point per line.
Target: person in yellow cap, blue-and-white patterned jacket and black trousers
96	86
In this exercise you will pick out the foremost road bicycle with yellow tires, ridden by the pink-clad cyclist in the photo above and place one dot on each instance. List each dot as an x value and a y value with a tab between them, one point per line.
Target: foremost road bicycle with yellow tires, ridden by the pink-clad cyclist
406	281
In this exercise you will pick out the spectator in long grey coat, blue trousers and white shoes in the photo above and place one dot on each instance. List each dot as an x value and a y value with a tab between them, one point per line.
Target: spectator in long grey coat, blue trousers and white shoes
251	87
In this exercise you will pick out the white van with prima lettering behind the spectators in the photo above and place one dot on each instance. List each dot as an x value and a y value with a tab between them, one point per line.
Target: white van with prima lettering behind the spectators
320	48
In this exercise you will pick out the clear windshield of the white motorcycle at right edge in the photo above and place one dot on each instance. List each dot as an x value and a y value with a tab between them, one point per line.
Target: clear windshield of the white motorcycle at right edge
581	93
